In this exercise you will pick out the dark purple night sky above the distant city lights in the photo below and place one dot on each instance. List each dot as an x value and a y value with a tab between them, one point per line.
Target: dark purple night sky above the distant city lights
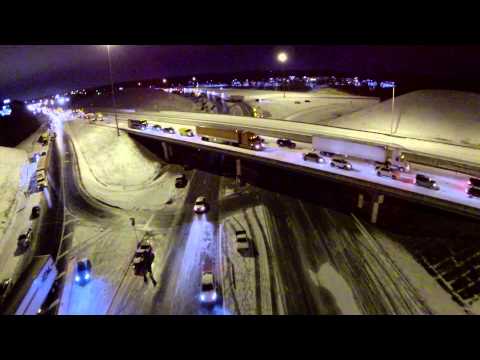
29	71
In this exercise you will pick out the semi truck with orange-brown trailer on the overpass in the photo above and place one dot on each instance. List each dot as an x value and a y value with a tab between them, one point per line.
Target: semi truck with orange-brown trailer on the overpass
235	137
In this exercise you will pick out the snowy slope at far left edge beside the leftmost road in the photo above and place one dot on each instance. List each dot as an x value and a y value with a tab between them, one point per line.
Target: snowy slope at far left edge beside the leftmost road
11	162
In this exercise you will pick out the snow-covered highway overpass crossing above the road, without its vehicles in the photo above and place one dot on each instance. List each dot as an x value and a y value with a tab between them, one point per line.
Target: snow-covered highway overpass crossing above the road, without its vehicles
451	197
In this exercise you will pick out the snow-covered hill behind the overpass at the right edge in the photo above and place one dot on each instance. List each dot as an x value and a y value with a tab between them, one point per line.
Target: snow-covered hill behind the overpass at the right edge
435	115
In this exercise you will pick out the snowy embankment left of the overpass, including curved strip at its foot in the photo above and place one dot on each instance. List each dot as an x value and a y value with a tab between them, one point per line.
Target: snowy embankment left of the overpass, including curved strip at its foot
116	170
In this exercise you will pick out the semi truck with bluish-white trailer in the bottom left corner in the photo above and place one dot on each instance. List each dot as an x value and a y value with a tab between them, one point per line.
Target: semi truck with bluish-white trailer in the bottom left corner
30	291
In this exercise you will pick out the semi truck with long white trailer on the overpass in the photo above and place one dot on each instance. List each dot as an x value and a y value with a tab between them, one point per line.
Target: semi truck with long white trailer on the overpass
377	153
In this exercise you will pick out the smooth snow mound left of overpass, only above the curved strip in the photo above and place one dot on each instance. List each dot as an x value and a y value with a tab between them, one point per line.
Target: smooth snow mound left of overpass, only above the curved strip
115	161
